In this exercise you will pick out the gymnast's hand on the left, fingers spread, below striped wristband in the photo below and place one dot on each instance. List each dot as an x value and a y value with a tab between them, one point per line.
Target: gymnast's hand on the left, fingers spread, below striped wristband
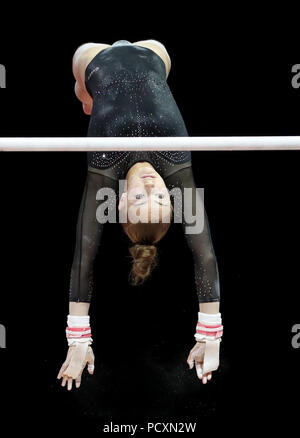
77	357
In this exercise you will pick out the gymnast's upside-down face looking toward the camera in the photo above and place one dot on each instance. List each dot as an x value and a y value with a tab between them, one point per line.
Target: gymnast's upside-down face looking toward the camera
147	195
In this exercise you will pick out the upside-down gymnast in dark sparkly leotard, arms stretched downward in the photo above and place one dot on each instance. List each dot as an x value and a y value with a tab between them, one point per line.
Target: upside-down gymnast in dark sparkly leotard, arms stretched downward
123	87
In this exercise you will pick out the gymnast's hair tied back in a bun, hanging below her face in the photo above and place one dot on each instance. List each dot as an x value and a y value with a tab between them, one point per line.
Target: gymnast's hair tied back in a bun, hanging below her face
144	252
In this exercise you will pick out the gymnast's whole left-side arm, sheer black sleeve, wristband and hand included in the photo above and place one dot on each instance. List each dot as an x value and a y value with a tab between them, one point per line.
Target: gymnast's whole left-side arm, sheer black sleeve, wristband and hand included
96	208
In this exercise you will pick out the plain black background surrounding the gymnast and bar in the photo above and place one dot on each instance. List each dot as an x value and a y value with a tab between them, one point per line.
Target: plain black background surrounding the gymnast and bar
231	75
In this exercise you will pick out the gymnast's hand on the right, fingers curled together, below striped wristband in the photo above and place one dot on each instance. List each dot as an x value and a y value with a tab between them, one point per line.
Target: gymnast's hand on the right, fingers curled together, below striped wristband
205	357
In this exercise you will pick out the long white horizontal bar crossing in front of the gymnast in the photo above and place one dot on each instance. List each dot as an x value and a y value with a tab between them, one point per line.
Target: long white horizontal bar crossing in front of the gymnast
149	143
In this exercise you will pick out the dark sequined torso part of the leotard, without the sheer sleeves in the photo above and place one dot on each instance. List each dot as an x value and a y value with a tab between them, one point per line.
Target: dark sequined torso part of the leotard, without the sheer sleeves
132	98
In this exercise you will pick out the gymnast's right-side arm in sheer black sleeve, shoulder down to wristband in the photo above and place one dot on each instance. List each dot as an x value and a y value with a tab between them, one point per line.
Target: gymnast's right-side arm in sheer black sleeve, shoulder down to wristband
200	243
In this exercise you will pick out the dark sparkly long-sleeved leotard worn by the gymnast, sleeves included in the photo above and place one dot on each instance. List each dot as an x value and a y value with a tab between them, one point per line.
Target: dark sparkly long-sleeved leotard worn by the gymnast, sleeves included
131	98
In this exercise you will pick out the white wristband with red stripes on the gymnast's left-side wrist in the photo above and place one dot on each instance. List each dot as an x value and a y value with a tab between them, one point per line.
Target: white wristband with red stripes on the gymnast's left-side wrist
78	330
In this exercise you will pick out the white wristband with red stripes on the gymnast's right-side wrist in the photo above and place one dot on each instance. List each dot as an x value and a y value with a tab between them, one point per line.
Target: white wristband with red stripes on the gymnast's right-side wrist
209	327
